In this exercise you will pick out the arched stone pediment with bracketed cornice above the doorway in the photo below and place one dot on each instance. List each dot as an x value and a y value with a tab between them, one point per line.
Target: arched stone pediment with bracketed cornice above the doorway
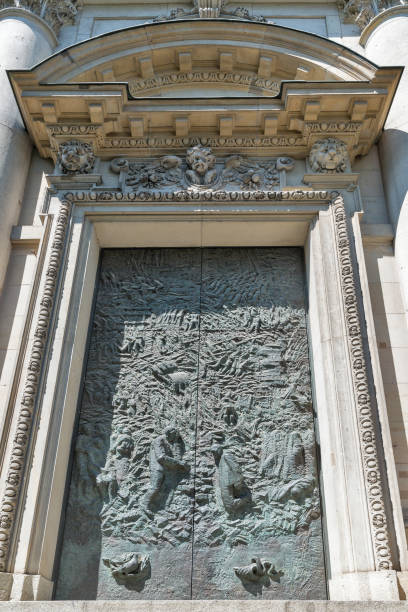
225	83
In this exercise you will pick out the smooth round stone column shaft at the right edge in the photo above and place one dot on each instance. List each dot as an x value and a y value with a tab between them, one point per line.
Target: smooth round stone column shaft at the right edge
386	43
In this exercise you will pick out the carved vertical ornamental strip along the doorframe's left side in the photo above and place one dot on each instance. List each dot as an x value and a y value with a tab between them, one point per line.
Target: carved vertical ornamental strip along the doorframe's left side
15	472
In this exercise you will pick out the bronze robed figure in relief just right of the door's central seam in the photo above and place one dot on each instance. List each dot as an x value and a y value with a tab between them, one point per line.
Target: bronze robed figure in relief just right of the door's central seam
235	494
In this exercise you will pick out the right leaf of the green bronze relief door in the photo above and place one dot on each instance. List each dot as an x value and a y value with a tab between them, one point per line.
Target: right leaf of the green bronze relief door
256	491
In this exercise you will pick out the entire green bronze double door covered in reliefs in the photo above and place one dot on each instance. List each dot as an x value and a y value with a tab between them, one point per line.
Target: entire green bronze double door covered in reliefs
194	472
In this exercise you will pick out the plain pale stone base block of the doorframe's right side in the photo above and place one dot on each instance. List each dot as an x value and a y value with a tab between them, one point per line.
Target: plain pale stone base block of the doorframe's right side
365	586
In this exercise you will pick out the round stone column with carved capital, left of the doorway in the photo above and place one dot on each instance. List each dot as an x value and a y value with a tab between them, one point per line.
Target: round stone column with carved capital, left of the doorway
28	34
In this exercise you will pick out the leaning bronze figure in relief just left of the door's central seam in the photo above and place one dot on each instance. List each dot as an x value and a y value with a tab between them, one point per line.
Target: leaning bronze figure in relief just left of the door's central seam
166	454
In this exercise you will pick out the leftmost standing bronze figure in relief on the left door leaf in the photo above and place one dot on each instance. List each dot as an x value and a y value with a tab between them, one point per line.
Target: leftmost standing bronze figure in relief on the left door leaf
117	467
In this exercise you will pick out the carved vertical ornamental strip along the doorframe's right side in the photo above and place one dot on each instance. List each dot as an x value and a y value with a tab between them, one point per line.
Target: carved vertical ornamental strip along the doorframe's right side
366	423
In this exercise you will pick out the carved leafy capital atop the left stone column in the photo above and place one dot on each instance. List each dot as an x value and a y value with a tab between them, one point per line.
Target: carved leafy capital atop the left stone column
55	13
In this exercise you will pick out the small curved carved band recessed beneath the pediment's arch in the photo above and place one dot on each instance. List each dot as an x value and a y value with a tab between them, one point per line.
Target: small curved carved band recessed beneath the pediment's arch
213	76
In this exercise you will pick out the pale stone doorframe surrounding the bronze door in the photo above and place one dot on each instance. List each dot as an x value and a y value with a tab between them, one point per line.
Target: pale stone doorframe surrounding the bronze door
364	535
